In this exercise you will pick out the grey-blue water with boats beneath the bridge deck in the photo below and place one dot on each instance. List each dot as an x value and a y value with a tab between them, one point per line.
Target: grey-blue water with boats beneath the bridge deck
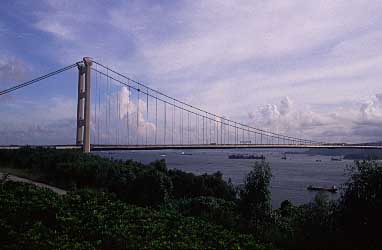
290	179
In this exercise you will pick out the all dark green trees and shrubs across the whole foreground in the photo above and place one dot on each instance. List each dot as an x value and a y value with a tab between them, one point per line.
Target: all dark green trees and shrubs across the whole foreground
135	206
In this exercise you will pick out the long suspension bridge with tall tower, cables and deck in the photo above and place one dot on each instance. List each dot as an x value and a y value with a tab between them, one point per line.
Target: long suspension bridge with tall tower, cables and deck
115	112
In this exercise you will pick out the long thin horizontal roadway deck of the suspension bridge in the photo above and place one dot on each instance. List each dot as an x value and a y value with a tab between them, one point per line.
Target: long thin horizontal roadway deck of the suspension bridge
202	146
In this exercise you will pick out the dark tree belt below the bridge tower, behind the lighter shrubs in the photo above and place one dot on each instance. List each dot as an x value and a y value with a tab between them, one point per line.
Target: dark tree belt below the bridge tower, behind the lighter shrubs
145	185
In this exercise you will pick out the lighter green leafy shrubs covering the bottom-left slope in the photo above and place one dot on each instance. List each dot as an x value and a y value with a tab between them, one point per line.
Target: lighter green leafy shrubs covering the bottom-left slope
35	218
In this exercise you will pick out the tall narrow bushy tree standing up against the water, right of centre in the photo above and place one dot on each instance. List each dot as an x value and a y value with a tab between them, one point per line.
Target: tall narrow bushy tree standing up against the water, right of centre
255	198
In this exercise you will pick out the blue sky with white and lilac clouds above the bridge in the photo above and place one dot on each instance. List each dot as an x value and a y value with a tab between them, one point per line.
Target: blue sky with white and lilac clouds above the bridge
310	69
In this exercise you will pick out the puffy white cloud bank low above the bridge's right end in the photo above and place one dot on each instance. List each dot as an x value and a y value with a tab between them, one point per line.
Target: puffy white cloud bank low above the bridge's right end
342	124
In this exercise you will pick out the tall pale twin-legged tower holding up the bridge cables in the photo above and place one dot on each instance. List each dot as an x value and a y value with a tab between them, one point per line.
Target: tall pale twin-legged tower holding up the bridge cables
83	104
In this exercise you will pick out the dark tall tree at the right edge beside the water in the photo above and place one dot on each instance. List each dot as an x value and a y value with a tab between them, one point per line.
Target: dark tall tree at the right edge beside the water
361	205
